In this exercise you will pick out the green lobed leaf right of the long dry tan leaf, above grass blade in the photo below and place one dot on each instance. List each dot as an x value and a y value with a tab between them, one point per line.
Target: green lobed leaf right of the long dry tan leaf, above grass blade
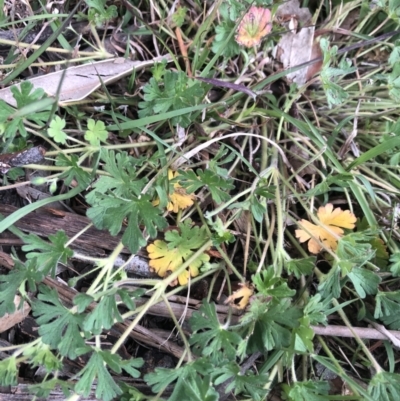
177	92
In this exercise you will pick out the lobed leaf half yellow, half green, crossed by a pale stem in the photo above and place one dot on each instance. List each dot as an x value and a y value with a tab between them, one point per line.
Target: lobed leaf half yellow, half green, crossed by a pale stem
165	257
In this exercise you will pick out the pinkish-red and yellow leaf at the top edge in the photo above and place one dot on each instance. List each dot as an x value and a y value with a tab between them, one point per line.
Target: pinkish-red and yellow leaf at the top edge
254	26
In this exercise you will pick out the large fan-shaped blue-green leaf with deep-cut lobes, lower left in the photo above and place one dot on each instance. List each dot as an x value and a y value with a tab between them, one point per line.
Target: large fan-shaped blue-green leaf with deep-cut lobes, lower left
58	326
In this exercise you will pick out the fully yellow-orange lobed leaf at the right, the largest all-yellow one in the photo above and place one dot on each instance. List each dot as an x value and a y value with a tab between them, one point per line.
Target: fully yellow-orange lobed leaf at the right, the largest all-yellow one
329	231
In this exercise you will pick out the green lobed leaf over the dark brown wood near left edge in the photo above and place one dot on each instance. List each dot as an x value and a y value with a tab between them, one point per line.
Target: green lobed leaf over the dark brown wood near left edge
49	255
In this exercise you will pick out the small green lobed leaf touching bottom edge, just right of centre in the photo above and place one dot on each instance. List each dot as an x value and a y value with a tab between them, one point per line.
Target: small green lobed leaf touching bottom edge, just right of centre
248	383
